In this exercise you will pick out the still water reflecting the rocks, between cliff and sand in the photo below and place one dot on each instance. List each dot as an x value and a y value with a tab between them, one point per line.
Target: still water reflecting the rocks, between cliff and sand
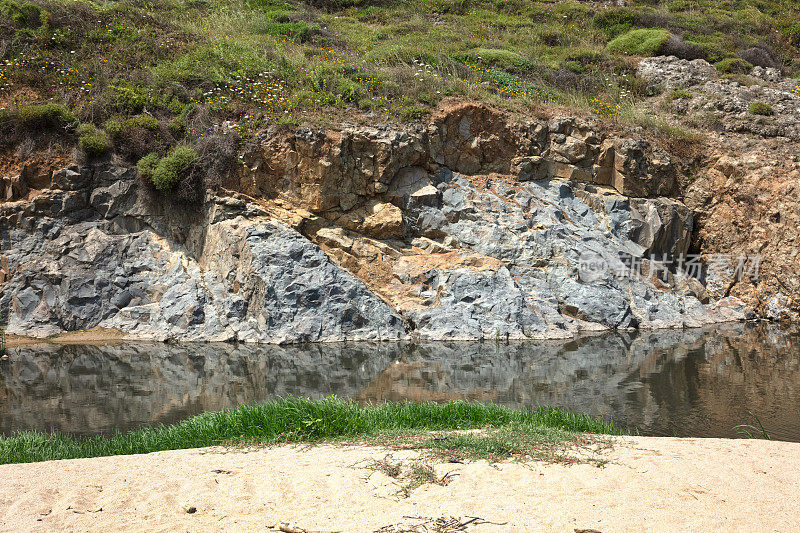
698	383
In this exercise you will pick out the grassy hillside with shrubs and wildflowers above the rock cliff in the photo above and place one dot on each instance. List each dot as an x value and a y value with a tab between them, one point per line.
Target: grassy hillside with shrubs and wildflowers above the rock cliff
139	77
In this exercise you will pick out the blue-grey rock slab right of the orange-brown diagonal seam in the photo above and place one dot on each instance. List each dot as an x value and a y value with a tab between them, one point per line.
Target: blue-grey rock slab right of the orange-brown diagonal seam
543	232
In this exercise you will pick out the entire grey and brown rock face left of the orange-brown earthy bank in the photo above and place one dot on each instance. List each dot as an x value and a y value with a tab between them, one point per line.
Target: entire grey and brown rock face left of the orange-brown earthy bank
476	226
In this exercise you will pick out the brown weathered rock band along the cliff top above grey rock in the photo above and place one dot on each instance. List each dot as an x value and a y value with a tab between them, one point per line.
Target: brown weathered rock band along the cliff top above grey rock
334	171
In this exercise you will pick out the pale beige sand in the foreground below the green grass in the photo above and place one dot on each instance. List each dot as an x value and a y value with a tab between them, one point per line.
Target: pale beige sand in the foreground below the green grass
663	484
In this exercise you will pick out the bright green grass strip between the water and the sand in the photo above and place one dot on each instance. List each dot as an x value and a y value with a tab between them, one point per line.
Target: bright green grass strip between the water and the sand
301	420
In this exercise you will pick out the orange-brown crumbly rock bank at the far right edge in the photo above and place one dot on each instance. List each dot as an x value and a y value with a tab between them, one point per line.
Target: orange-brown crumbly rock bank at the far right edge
744	193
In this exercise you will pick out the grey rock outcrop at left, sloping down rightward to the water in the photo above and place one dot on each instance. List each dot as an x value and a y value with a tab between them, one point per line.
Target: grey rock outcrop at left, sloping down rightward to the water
104	256
